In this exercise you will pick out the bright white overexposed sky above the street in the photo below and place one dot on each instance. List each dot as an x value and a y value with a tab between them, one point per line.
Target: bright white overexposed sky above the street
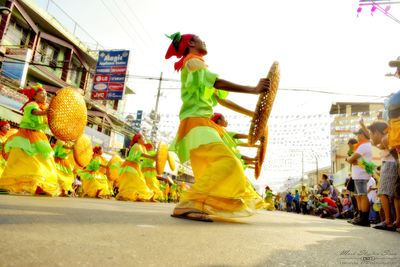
320	44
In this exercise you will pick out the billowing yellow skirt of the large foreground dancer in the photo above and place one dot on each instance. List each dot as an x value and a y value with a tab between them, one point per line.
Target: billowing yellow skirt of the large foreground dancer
220	187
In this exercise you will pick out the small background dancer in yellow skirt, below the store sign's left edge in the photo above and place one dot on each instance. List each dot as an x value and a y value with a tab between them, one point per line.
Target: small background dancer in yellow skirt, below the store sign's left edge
94	181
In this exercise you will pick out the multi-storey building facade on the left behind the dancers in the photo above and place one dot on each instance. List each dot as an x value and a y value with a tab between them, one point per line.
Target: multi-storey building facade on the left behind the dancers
36	48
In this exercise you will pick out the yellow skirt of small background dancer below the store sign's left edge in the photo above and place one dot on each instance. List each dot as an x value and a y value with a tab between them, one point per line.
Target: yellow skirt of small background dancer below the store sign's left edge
95	187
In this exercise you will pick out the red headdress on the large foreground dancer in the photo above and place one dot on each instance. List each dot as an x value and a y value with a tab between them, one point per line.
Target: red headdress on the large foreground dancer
178	47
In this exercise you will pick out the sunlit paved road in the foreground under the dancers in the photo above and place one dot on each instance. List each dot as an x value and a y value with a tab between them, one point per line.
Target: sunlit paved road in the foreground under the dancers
37	231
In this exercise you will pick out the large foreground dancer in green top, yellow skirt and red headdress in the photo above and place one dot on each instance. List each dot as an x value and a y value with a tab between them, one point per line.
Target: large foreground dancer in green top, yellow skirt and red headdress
220	187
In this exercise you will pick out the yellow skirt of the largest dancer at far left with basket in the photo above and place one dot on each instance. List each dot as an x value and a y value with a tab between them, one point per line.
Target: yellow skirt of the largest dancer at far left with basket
27	173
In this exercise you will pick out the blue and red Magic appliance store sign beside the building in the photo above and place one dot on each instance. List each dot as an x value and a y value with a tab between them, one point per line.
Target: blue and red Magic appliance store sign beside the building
110	75
